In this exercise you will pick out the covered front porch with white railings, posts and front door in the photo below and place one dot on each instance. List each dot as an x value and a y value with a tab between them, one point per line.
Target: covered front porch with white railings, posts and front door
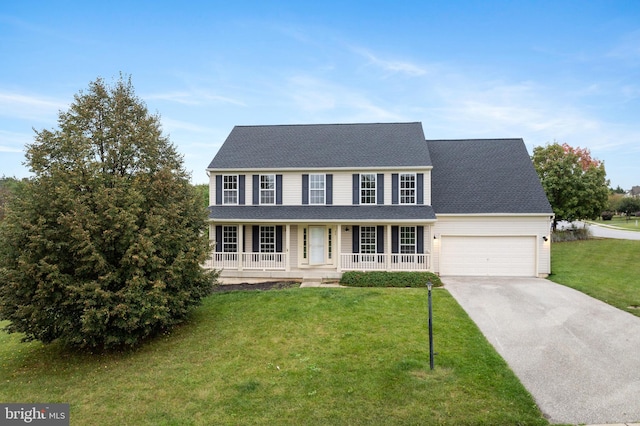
317	251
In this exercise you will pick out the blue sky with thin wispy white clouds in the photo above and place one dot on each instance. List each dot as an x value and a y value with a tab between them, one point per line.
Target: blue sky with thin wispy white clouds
566	71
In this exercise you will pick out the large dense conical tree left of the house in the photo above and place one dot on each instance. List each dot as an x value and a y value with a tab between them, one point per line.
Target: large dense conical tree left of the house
103	246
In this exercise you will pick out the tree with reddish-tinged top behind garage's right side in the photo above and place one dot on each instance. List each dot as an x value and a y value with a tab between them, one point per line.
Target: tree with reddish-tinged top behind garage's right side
575	183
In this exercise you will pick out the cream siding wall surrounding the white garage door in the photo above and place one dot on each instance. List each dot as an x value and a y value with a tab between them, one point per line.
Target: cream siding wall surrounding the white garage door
515	226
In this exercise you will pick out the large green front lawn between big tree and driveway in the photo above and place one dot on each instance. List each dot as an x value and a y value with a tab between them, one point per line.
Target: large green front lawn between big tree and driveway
294	356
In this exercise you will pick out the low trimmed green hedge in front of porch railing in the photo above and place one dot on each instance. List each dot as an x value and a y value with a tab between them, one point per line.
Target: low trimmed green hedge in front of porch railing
389	279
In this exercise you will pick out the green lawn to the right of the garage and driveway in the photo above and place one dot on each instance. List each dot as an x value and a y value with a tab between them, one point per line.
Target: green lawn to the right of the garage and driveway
606	269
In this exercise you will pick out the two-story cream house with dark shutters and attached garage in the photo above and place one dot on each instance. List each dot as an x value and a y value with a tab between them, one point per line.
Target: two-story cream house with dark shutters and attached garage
302	201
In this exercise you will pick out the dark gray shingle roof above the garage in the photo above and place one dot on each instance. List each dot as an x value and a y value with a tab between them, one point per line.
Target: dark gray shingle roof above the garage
484	176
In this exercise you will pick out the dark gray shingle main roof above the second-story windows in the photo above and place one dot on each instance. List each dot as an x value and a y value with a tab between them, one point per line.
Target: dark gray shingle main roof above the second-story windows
324	146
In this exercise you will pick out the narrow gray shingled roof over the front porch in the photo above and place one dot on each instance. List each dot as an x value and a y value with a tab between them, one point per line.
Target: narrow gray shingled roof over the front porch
336	214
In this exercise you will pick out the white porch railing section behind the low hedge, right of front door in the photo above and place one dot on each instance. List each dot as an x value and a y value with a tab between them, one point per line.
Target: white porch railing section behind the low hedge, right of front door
384	262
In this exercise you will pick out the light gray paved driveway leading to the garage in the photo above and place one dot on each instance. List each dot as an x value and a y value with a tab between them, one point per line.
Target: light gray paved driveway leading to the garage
577	356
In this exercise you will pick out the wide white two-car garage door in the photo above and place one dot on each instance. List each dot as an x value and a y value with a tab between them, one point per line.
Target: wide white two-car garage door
492	256
